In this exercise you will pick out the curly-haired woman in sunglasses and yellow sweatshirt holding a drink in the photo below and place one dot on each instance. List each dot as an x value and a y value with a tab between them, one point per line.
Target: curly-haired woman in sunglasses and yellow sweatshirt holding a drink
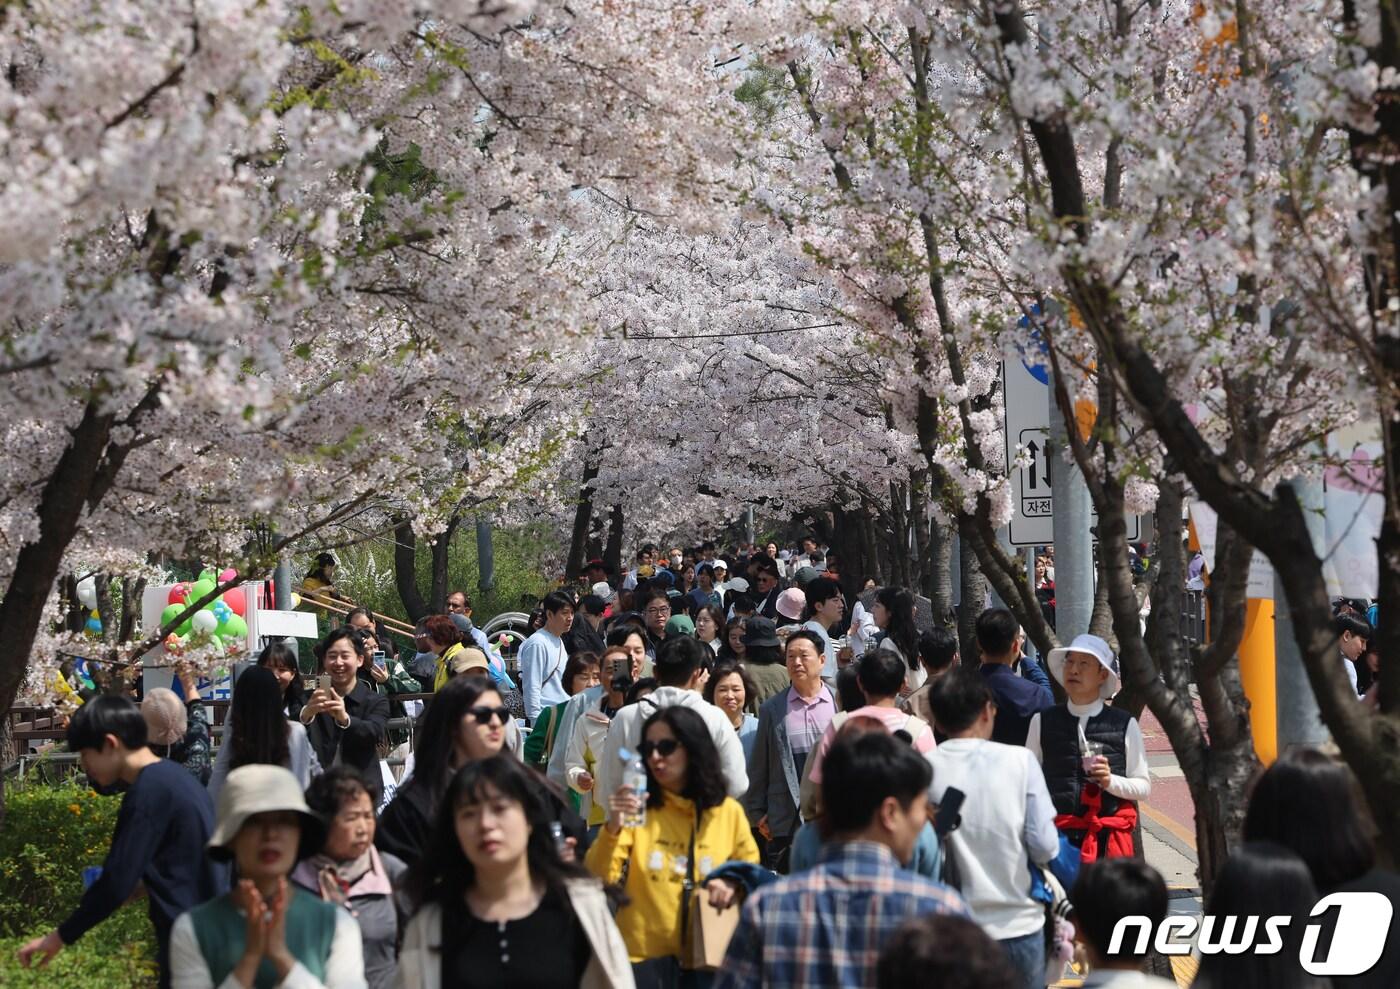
691	830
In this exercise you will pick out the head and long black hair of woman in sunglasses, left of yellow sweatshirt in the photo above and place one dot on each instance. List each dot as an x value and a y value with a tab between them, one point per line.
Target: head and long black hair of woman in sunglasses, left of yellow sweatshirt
464	722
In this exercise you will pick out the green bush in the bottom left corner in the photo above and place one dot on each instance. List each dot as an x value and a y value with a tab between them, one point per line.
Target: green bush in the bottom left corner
50	836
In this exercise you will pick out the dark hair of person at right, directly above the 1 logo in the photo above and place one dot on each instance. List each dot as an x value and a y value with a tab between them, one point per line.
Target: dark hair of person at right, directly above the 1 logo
1305	803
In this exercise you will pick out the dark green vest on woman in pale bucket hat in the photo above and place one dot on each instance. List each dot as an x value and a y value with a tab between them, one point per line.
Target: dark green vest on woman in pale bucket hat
222	934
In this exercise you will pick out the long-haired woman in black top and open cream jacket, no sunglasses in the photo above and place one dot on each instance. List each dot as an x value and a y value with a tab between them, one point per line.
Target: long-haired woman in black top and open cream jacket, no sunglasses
496	906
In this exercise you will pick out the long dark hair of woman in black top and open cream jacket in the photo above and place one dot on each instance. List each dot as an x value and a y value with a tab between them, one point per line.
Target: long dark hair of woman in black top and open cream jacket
444	872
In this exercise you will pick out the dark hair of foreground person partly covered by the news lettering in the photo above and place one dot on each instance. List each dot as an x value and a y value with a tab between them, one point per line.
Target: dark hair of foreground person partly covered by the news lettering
1262	879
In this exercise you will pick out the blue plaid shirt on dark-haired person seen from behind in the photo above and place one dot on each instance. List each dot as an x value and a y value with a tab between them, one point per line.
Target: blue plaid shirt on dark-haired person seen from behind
827	927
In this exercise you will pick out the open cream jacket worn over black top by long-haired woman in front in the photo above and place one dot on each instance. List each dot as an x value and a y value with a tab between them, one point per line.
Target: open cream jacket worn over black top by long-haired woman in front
421	959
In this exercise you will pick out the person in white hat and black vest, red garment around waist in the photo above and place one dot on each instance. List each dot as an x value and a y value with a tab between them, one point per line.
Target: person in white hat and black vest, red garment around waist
1093	754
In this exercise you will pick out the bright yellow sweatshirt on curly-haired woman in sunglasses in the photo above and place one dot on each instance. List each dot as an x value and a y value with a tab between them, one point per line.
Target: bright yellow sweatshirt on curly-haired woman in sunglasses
659	854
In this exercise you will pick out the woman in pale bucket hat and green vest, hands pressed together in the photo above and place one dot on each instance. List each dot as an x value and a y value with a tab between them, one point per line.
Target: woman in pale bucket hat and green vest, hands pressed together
267	934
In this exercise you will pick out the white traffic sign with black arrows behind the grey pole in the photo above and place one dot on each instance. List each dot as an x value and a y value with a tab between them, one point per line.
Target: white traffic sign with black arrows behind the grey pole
1027	396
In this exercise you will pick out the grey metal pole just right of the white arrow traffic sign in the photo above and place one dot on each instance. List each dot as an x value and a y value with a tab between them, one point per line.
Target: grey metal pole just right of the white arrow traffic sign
1073	543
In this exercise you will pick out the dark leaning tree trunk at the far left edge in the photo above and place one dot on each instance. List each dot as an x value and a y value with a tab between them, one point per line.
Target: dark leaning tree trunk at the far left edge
75	480
